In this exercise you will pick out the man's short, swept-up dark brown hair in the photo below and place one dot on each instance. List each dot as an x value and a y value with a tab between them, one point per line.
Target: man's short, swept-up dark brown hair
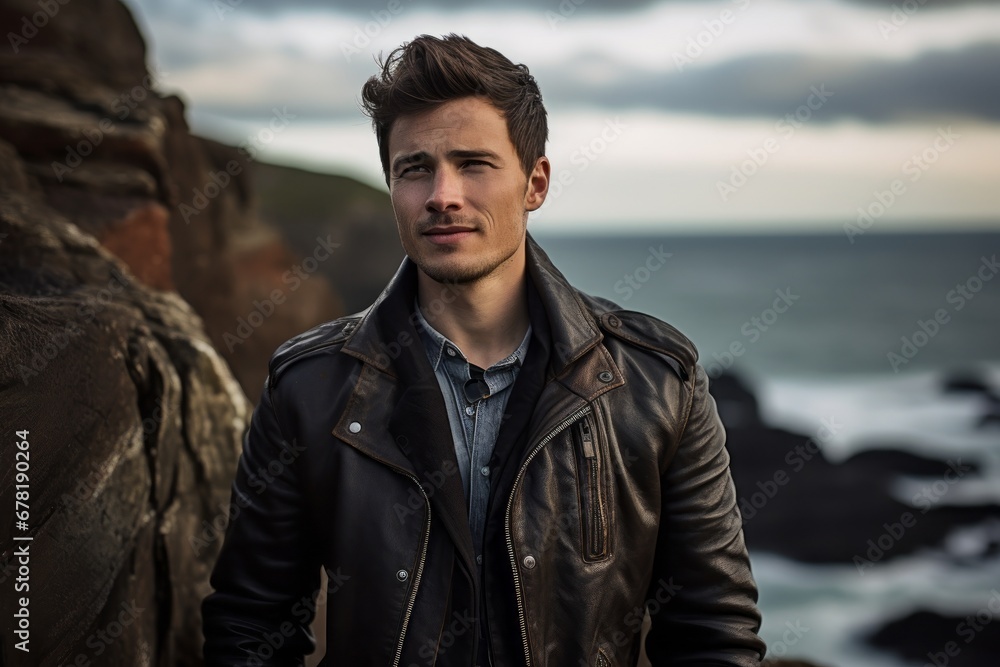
430	71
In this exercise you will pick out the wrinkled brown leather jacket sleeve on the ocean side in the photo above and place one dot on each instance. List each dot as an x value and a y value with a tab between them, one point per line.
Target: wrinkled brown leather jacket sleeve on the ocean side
712	618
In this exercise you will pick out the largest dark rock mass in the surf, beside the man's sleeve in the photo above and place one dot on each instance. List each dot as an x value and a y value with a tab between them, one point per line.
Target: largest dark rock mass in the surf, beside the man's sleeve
798	504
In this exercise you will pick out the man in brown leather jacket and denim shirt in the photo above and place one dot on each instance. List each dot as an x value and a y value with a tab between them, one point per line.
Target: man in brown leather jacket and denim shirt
493	468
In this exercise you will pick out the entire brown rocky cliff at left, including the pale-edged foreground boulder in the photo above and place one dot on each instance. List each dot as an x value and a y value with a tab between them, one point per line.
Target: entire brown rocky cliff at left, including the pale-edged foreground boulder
118	229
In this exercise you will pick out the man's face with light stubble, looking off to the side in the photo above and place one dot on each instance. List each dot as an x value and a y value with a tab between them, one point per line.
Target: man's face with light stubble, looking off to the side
459	193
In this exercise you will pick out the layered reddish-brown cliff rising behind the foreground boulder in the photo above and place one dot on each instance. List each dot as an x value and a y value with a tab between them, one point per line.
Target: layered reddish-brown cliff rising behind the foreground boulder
116	158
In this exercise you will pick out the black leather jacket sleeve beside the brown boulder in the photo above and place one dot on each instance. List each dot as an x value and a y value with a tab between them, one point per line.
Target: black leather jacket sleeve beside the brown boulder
265	579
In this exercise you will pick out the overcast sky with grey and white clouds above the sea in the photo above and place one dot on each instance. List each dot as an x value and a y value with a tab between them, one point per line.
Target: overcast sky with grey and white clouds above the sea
745	115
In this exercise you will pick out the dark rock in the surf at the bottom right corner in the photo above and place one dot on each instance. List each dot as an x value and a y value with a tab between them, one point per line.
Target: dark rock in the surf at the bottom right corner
926	637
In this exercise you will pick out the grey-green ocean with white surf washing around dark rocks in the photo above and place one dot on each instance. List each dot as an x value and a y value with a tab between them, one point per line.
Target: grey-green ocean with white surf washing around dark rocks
865	333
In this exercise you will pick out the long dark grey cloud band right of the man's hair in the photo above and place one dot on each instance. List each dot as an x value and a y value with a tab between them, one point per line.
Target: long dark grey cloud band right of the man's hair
963	82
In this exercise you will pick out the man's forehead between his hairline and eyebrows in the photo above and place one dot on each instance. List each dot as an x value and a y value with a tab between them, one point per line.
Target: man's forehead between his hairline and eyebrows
468	122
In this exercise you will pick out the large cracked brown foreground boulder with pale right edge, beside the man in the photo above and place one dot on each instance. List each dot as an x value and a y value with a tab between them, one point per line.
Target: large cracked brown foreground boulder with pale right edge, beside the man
134	423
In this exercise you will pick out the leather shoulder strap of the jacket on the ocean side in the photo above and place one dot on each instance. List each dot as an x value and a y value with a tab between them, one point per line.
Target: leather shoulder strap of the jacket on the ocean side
644	331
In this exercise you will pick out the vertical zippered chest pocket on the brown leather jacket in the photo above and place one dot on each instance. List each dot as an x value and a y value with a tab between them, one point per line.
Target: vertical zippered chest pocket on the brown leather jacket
592	471
